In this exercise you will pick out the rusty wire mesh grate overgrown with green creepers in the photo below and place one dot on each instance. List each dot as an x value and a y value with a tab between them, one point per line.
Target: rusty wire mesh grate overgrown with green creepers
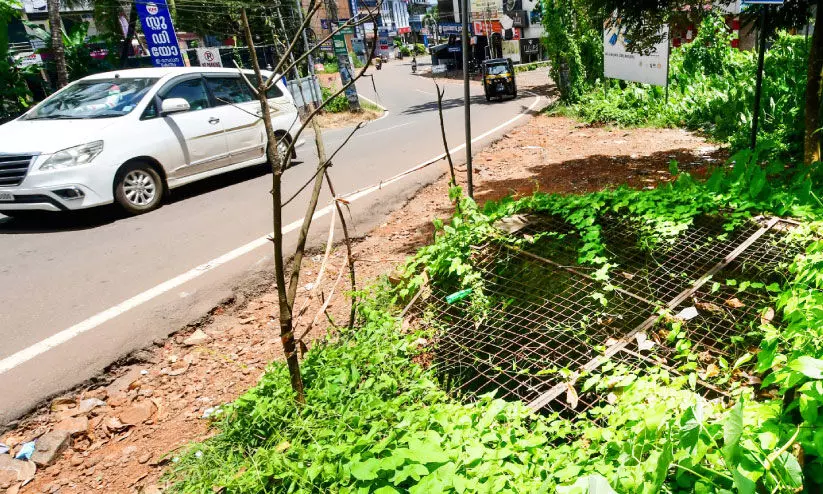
541	321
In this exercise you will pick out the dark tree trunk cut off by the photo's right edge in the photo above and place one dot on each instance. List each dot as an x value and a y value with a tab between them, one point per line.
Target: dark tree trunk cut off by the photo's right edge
811	144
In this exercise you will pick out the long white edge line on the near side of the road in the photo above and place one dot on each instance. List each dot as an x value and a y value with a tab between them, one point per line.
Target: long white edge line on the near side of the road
100	318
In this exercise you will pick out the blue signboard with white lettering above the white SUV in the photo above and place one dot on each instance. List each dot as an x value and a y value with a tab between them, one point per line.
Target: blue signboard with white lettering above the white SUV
160	35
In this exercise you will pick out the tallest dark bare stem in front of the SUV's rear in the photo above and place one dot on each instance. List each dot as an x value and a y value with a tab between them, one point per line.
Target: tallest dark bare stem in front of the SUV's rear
285	314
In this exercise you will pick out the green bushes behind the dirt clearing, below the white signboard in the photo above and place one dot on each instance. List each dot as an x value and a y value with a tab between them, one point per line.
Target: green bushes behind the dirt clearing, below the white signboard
712	90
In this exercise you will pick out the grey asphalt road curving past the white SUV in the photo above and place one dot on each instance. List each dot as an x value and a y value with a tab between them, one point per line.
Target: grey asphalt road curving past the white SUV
69	275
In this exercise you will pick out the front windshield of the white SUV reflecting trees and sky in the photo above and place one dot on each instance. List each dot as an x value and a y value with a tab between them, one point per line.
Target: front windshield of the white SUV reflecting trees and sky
98	98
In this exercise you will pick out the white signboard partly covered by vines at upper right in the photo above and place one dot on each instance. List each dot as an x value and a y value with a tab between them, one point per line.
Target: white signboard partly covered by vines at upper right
619	63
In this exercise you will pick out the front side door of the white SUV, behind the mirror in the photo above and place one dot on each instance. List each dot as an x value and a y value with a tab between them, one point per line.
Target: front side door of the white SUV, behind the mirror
199	130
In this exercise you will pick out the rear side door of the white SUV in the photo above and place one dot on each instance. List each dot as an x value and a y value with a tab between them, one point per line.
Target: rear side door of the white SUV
239	113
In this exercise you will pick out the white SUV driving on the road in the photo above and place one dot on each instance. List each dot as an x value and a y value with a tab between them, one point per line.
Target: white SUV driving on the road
132	135
